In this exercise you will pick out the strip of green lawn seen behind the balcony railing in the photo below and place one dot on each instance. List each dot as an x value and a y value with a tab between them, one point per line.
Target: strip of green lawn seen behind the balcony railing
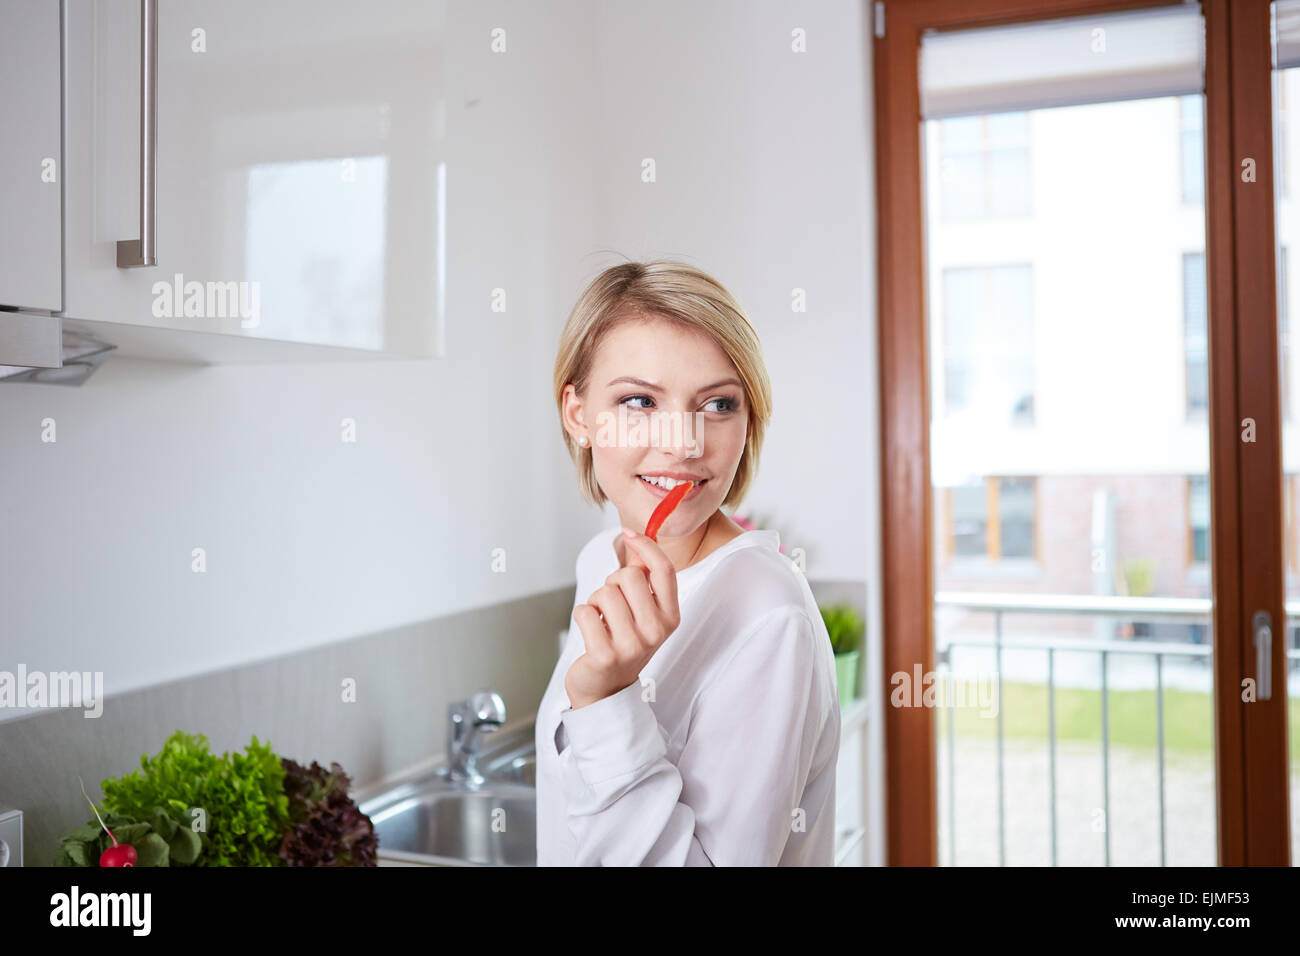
1078	717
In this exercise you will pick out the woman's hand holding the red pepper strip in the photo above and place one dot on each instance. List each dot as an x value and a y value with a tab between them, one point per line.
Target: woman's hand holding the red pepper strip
639	604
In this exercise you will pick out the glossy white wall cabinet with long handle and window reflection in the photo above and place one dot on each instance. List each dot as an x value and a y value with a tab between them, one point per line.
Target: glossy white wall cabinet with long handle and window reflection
255	181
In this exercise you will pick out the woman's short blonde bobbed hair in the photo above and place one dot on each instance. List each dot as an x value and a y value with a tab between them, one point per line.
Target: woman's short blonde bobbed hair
679	293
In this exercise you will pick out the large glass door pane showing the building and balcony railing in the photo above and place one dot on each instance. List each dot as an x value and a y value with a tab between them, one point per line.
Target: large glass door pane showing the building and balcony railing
1067	345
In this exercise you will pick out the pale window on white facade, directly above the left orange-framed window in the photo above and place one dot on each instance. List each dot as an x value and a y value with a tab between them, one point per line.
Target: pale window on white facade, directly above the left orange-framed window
989	343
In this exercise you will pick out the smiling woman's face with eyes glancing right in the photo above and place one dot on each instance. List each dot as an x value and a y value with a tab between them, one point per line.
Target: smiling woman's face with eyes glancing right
678	388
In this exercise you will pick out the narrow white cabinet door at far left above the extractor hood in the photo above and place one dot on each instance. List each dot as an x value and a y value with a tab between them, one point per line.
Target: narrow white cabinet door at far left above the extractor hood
31	161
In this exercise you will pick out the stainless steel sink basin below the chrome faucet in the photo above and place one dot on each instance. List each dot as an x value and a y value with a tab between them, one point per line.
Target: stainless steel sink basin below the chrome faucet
452	823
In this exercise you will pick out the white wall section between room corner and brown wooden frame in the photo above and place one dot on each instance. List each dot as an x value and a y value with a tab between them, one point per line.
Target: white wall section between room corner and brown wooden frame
764	180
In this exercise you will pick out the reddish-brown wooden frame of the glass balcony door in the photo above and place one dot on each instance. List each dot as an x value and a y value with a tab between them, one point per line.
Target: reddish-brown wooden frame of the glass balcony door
1246	490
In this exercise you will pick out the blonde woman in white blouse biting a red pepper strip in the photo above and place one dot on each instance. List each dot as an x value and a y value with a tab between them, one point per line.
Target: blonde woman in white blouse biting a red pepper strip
692	719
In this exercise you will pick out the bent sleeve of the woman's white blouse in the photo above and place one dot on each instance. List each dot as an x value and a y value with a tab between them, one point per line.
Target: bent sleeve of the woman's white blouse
747	758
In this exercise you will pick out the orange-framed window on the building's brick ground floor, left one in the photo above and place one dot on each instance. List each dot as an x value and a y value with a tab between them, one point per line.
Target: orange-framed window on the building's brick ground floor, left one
994	518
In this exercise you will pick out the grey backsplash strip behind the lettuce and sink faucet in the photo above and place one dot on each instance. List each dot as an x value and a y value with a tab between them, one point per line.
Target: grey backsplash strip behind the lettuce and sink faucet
405	681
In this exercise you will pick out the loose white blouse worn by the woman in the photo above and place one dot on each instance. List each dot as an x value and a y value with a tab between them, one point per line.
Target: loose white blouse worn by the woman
725	752
